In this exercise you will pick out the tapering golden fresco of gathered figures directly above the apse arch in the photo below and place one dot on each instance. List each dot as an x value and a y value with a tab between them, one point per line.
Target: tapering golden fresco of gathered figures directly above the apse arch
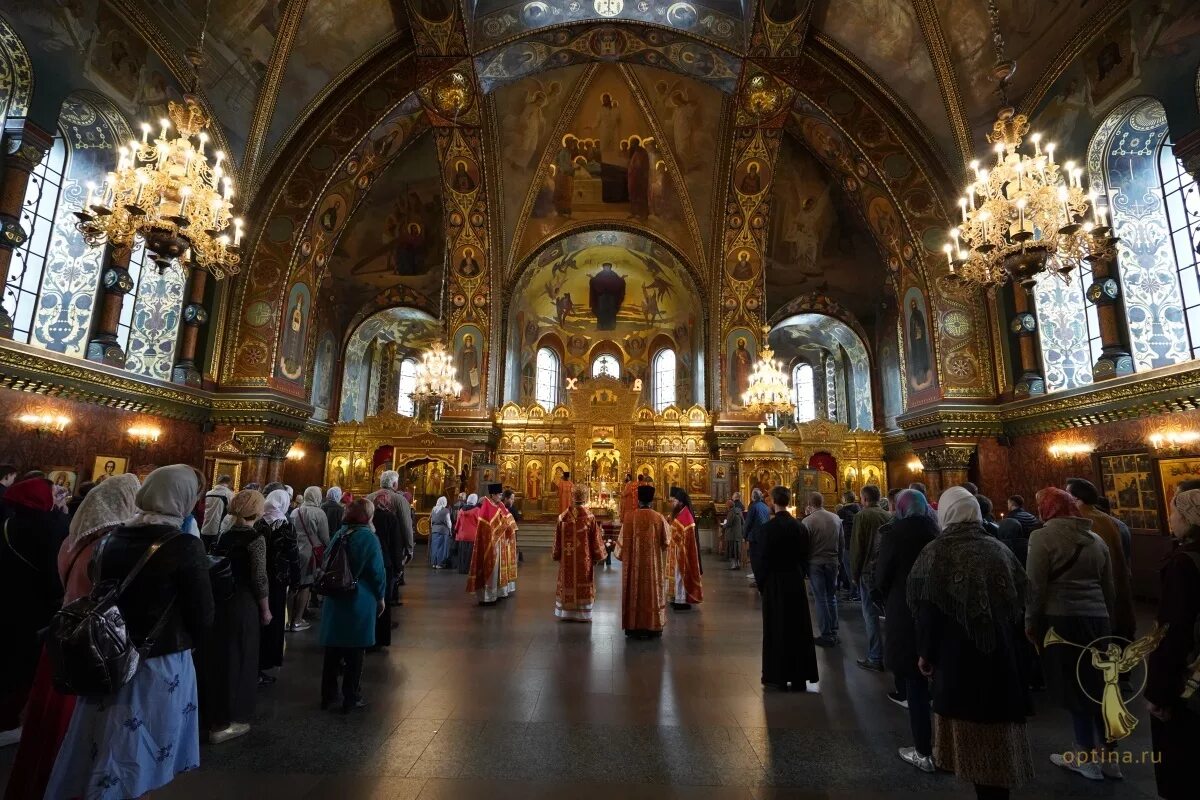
608	161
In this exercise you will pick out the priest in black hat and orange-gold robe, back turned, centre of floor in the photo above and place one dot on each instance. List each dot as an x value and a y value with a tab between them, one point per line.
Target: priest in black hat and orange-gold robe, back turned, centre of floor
643	550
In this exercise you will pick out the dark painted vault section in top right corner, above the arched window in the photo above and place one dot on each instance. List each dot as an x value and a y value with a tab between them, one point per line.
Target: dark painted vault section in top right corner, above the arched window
1139	55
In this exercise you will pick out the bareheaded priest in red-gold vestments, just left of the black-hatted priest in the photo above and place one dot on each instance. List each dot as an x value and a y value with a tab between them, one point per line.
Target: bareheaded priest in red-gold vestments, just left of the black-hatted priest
578	549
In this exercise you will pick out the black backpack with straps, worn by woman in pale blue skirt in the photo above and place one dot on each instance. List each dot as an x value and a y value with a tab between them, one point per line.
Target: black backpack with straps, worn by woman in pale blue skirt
89	645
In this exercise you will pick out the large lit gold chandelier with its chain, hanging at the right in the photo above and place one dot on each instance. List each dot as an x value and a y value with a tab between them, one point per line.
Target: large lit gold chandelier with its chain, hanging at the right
1025	215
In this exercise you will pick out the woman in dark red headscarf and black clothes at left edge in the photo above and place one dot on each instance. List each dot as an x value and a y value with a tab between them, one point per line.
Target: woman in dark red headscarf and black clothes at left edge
29	582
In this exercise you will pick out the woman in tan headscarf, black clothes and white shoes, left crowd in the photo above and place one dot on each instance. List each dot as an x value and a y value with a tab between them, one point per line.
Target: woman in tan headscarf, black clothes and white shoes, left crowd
230	658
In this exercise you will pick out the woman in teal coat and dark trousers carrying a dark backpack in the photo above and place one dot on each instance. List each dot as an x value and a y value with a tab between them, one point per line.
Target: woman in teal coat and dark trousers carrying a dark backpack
349	622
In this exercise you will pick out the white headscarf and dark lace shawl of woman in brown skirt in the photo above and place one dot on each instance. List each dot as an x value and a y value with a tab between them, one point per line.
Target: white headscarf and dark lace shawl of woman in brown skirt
971	578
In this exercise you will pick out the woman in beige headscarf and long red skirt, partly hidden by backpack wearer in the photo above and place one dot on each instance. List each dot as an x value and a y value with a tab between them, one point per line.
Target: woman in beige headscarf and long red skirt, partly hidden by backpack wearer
49	713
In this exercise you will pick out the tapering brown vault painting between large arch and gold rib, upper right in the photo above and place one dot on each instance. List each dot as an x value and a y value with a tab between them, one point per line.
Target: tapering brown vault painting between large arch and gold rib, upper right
895	51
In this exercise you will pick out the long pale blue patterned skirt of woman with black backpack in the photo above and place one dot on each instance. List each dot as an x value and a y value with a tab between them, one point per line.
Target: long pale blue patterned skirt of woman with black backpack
134	742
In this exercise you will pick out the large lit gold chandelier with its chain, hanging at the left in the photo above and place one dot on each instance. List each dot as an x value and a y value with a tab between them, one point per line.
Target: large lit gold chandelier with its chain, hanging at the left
165	191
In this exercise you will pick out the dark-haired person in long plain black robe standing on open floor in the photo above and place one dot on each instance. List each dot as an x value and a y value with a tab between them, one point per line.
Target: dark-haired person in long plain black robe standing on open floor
789	657
